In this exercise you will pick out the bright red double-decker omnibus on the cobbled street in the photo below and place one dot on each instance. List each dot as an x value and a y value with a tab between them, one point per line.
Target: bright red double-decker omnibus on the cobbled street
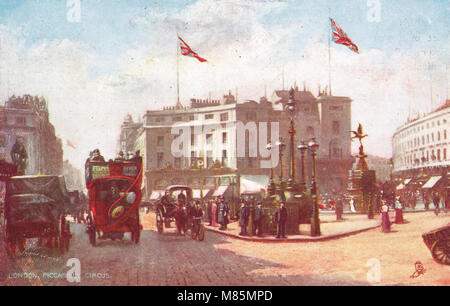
114	198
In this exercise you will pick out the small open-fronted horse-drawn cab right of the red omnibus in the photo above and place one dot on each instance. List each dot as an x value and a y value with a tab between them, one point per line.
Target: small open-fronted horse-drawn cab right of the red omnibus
177	203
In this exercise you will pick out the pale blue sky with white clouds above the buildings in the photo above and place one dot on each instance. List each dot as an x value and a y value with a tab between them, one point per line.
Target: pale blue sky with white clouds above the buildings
97	60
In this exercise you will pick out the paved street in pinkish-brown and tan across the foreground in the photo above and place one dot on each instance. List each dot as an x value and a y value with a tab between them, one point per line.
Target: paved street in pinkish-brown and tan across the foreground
173	260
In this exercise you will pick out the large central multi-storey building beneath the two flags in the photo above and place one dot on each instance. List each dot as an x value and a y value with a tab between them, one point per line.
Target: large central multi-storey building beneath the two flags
234	136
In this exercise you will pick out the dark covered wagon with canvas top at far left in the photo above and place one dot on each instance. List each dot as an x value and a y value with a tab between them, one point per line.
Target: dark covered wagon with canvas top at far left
36	207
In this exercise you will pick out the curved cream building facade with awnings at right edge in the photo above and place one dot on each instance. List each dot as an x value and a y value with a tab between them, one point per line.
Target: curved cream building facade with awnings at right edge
421	155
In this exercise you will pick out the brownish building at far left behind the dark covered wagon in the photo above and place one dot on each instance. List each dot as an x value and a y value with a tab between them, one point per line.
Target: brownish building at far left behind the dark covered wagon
27	118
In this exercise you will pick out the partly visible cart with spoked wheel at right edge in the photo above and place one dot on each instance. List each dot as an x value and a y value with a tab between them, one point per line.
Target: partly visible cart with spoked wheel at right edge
438	241
